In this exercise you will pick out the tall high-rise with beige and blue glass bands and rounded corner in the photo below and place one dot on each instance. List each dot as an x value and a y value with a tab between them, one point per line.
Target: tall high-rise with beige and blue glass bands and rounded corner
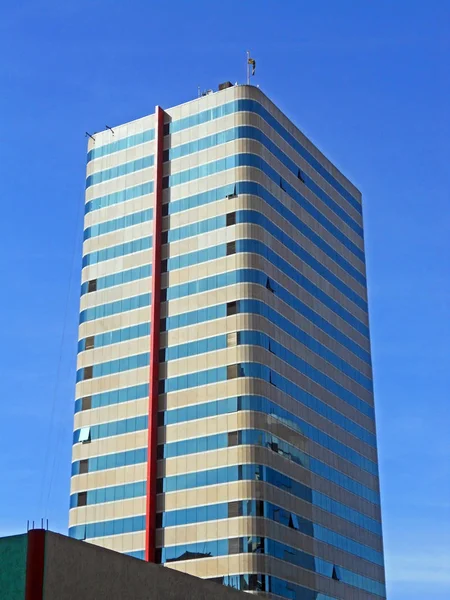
224	413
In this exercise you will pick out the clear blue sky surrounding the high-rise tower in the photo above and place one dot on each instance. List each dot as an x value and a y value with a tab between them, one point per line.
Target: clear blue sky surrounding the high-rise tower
368	82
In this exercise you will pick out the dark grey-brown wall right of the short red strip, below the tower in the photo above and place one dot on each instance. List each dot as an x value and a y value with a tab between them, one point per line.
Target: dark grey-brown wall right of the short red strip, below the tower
76	570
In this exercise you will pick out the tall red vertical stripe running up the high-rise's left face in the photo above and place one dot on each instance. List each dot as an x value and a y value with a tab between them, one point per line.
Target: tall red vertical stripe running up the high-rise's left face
154	342
